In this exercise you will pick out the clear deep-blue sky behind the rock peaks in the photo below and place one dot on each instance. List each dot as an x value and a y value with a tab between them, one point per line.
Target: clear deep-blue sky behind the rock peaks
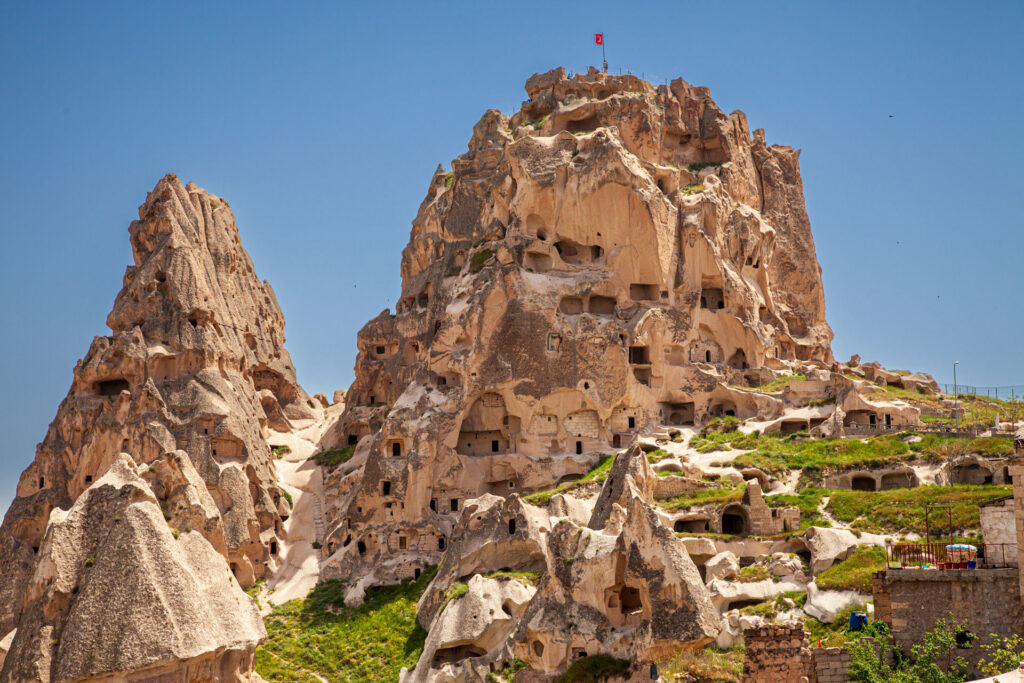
322	124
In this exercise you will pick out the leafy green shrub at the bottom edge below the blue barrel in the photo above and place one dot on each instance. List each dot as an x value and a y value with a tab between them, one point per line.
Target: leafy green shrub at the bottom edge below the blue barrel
879	661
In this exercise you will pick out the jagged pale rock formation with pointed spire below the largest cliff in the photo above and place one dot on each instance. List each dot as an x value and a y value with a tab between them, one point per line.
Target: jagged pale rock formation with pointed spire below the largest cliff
623	585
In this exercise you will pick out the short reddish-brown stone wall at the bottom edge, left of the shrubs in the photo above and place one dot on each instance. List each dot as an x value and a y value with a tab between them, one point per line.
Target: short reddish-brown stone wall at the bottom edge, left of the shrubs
778	654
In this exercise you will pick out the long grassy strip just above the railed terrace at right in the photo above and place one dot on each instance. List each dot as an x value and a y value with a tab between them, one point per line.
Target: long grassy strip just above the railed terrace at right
903	510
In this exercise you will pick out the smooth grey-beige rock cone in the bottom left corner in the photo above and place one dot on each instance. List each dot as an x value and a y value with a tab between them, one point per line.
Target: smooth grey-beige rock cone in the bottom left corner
116	594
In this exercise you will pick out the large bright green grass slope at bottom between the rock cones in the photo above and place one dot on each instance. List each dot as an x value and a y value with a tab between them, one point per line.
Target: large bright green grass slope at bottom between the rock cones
321	637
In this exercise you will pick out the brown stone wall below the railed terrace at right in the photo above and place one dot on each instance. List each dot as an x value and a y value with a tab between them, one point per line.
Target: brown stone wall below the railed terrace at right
911	602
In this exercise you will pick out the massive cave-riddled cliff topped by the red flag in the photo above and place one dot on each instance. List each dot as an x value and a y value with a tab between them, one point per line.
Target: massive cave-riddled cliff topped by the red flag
613	258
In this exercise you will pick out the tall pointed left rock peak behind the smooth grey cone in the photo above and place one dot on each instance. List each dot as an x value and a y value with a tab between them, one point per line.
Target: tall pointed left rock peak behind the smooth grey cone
193	373
